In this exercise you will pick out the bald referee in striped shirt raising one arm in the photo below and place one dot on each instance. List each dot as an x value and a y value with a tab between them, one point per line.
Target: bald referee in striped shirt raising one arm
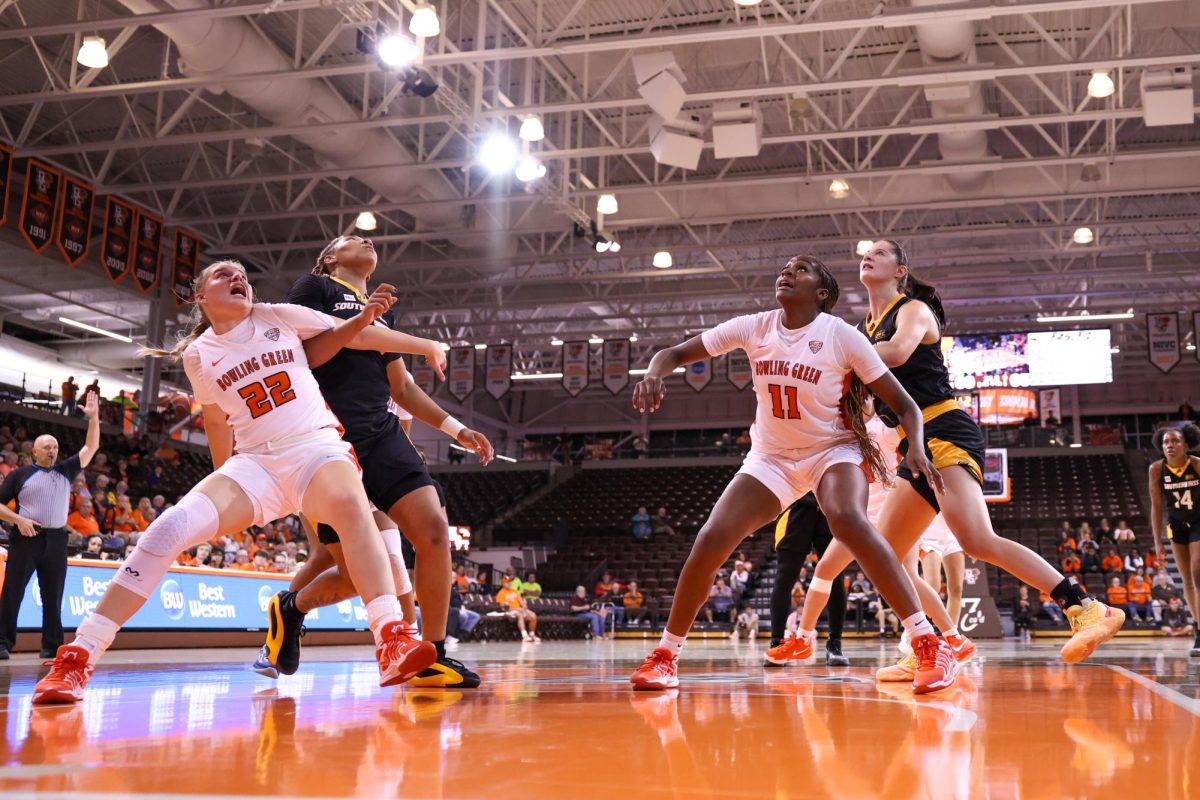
43	491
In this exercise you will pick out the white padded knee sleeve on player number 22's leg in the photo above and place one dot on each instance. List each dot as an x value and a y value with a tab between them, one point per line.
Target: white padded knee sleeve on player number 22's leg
189	524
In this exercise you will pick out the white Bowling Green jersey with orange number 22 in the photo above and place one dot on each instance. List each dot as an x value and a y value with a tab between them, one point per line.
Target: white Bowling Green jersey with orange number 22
260	376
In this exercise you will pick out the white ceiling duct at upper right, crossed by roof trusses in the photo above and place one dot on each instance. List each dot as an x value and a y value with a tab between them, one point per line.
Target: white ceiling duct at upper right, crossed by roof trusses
955	41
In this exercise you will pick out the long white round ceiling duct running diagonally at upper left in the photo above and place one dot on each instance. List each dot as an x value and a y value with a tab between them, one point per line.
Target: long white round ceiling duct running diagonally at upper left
215	47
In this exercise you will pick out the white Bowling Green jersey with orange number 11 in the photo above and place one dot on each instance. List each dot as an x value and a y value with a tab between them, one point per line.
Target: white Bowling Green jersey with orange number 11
801	377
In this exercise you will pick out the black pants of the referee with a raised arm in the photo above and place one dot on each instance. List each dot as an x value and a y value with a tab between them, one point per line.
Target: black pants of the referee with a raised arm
46	555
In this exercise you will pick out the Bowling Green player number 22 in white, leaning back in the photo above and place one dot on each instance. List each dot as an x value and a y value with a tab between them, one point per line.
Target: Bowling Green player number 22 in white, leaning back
245	364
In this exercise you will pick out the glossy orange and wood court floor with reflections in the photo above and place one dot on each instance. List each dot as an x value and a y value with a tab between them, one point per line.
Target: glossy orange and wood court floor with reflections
561	721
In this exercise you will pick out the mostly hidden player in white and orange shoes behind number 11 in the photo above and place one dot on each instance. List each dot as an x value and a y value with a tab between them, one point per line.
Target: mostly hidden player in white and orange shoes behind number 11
838	557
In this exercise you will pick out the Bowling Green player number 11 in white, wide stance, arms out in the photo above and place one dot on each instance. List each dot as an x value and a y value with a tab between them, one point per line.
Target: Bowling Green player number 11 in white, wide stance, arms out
808	436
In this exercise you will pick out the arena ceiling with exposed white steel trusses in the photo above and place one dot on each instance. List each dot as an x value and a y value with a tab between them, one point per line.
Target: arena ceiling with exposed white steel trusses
262	127
